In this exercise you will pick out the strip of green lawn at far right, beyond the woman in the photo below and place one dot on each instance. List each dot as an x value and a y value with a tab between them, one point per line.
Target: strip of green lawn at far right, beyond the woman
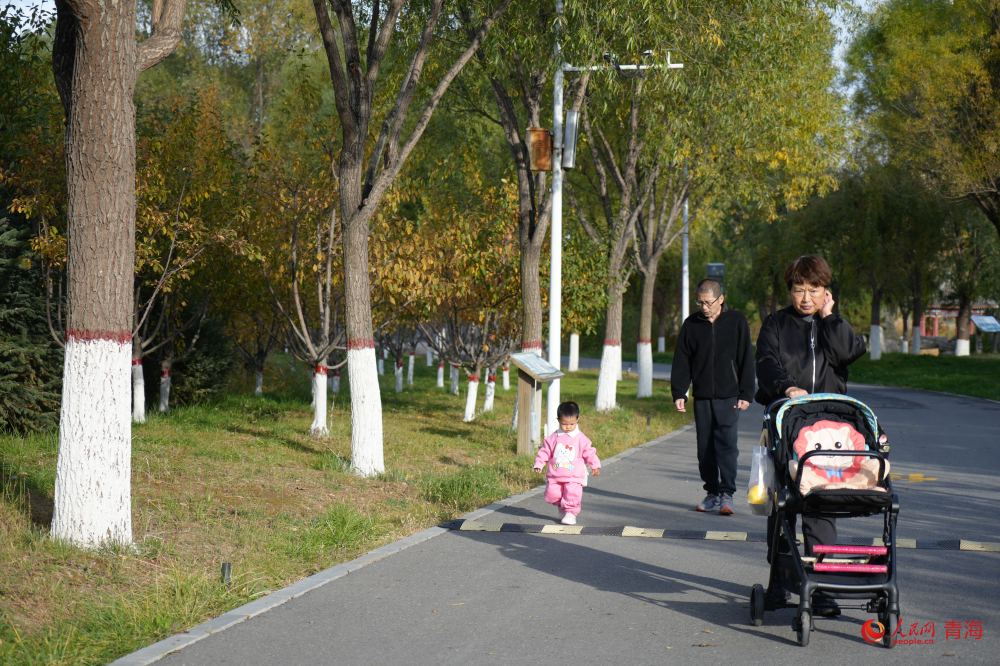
976	376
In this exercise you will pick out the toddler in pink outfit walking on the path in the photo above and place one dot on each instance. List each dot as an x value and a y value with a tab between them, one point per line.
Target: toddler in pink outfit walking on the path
567	452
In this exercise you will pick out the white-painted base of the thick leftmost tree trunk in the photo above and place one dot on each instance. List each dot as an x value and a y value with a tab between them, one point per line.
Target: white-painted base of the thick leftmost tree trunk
93	493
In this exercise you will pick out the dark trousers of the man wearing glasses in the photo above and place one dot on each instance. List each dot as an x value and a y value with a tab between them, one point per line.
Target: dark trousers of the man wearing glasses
716	423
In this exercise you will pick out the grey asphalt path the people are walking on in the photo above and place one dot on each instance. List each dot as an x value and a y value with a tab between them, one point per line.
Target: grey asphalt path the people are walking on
515	598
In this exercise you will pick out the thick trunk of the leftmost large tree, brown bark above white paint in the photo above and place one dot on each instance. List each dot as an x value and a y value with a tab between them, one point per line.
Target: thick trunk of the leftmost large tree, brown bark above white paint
95	64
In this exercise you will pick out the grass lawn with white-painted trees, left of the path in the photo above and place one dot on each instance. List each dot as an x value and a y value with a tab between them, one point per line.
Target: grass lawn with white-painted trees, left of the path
238	480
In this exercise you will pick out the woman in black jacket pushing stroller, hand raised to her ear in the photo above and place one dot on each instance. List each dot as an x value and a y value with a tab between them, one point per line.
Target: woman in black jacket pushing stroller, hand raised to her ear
804	349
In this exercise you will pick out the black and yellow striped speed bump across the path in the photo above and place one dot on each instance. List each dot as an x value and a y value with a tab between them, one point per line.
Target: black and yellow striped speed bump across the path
751	537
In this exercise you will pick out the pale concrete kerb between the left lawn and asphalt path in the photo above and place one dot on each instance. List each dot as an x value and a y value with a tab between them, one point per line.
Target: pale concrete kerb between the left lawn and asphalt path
160	649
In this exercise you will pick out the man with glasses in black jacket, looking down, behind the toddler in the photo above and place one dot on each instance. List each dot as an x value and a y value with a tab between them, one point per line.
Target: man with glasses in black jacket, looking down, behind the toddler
714	353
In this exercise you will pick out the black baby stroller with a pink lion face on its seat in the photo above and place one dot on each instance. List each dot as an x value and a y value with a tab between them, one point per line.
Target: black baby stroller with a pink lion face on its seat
838	483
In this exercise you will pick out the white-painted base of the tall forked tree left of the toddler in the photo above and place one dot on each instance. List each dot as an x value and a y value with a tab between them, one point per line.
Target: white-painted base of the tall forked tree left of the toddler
366	413
